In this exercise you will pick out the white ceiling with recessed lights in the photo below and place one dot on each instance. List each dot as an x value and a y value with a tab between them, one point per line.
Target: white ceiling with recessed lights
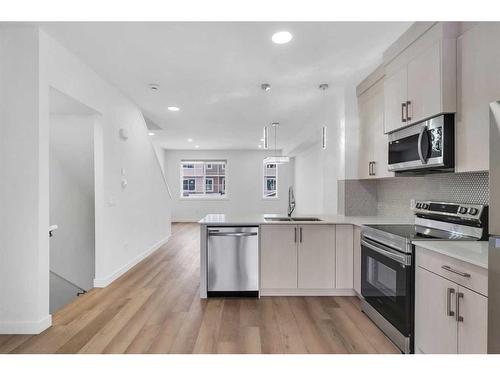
213	72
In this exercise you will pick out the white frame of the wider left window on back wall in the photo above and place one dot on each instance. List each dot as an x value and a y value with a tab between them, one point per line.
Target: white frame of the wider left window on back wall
204	195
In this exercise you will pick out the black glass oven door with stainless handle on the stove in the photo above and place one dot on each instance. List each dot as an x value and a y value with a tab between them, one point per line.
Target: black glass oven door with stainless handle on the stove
387	283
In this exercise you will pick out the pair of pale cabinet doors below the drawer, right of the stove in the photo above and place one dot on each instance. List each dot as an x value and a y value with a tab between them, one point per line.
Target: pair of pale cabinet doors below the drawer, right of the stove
449	318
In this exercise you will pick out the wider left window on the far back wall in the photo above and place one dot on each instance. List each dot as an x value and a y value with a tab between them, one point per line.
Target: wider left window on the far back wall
203	179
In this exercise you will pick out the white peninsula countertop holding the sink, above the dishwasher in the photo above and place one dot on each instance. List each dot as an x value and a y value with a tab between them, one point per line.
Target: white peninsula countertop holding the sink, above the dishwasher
225	219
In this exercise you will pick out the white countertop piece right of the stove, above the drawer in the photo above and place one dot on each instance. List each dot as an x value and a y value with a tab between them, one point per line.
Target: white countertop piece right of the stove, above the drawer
473	252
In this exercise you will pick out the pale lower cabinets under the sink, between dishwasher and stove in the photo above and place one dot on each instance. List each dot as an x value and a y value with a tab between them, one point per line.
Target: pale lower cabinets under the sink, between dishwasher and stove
306	257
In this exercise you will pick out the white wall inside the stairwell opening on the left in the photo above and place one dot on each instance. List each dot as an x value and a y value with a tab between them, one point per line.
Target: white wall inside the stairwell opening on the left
72	247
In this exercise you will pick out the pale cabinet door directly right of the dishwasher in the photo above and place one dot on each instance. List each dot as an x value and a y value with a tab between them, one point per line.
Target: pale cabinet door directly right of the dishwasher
278	256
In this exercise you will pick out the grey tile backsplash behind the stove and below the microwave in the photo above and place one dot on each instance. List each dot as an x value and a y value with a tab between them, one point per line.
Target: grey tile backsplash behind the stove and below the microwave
391	196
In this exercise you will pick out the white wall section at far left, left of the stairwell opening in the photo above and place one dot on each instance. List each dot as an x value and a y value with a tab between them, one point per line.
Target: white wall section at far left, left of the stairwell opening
24	220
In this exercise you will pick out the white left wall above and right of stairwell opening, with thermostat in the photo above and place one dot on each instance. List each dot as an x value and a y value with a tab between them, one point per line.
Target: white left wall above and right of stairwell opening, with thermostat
135	219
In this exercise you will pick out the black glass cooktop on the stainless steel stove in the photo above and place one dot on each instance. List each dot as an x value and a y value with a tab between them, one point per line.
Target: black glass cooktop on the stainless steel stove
418	233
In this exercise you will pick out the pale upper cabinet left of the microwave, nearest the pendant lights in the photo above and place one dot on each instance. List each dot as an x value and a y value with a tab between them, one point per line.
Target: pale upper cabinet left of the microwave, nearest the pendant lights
372	157
